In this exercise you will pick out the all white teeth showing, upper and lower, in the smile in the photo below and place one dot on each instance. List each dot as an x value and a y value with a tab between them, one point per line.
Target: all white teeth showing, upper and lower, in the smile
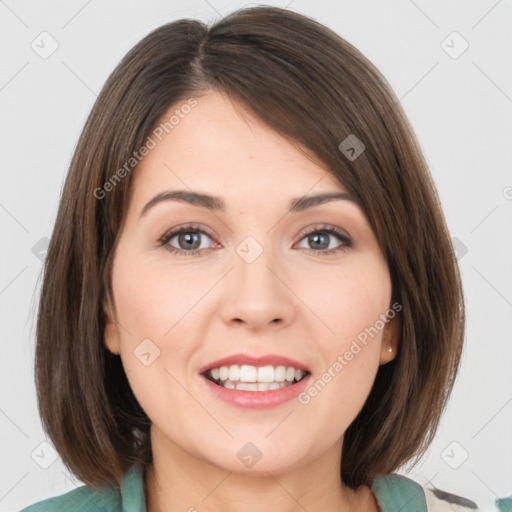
259	378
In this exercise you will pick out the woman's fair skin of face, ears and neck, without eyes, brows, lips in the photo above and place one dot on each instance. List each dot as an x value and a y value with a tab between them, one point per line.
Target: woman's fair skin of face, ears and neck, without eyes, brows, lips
199	308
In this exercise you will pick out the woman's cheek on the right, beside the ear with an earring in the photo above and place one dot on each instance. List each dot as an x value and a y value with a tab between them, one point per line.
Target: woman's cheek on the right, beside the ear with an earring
348	333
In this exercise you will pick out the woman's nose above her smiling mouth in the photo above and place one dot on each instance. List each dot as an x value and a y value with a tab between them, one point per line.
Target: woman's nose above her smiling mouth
258	294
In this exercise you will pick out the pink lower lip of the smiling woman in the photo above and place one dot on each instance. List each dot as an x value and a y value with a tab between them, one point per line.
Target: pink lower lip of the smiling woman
257	399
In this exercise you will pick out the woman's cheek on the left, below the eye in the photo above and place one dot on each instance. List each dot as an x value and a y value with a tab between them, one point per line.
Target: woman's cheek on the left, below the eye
150	305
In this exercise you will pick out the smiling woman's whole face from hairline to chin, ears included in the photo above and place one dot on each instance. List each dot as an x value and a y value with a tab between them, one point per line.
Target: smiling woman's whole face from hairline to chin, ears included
264	280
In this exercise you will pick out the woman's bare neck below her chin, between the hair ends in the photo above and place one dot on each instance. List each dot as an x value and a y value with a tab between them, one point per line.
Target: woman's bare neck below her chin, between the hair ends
179	481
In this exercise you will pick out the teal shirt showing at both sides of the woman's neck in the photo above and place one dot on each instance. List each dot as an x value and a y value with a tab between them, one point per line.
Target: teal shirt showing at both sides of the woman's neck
393	492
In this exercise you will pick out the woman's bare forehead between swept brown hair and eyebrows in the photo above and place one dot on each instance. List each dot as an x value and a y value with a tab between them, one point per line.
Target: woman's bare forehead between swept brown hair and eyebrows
221	147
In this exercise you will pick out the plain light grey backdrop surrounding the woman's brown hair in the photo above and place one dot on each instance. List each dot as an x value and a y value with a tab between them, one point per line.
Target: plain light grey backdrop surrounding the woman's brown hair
460	108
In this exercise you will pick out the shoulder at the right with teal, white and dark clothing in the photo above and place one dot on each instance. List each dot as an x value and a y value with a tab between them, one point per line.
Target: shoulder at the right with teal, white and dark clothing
397	492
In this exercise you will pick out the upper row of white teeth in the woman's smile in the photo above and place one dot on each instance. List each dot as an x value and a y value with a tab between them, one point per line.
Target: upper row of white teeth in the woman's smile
247	373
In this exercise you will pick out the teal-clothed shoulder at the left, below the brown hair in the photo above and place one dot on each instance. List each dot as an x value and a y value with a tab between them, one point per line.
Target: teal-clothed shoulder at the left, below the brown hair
81	499
